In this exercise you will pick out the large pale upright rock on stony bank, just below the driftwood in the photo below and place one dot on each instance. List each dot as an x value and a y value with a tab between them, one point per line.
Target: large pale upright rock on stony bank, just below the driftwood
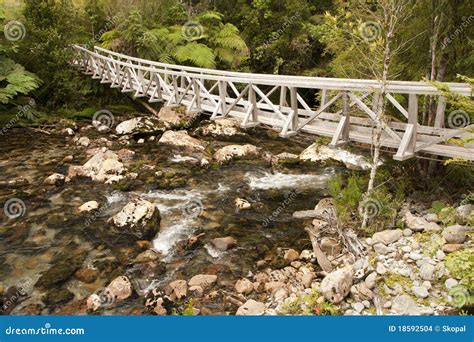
336	285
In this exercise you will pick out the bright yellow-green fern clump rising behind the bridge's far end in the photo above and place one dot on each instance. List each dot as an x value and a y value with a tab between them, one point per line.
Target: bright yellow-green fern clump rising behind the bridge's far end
204	41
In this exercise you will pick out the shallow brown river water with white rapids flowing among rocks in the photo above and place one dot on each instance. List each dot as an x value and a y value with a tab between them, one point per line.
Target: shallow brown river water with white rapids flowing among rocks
50	228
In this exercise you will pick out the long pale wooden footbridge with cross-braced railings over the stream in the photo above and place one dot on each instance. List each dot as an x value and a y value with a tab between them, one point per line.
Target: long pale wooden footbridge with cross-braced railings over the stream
277	101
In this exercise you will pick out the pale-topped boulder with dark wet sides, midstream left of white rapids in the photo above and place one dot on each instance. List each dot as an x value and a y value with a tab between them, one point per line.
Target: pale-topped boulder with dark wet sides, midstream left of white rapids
139	217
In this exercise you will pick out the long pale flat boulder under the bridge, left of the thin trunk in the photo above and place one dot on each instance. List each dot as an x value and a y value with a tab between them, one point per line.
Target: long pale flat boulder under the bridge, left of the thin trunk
322	153
